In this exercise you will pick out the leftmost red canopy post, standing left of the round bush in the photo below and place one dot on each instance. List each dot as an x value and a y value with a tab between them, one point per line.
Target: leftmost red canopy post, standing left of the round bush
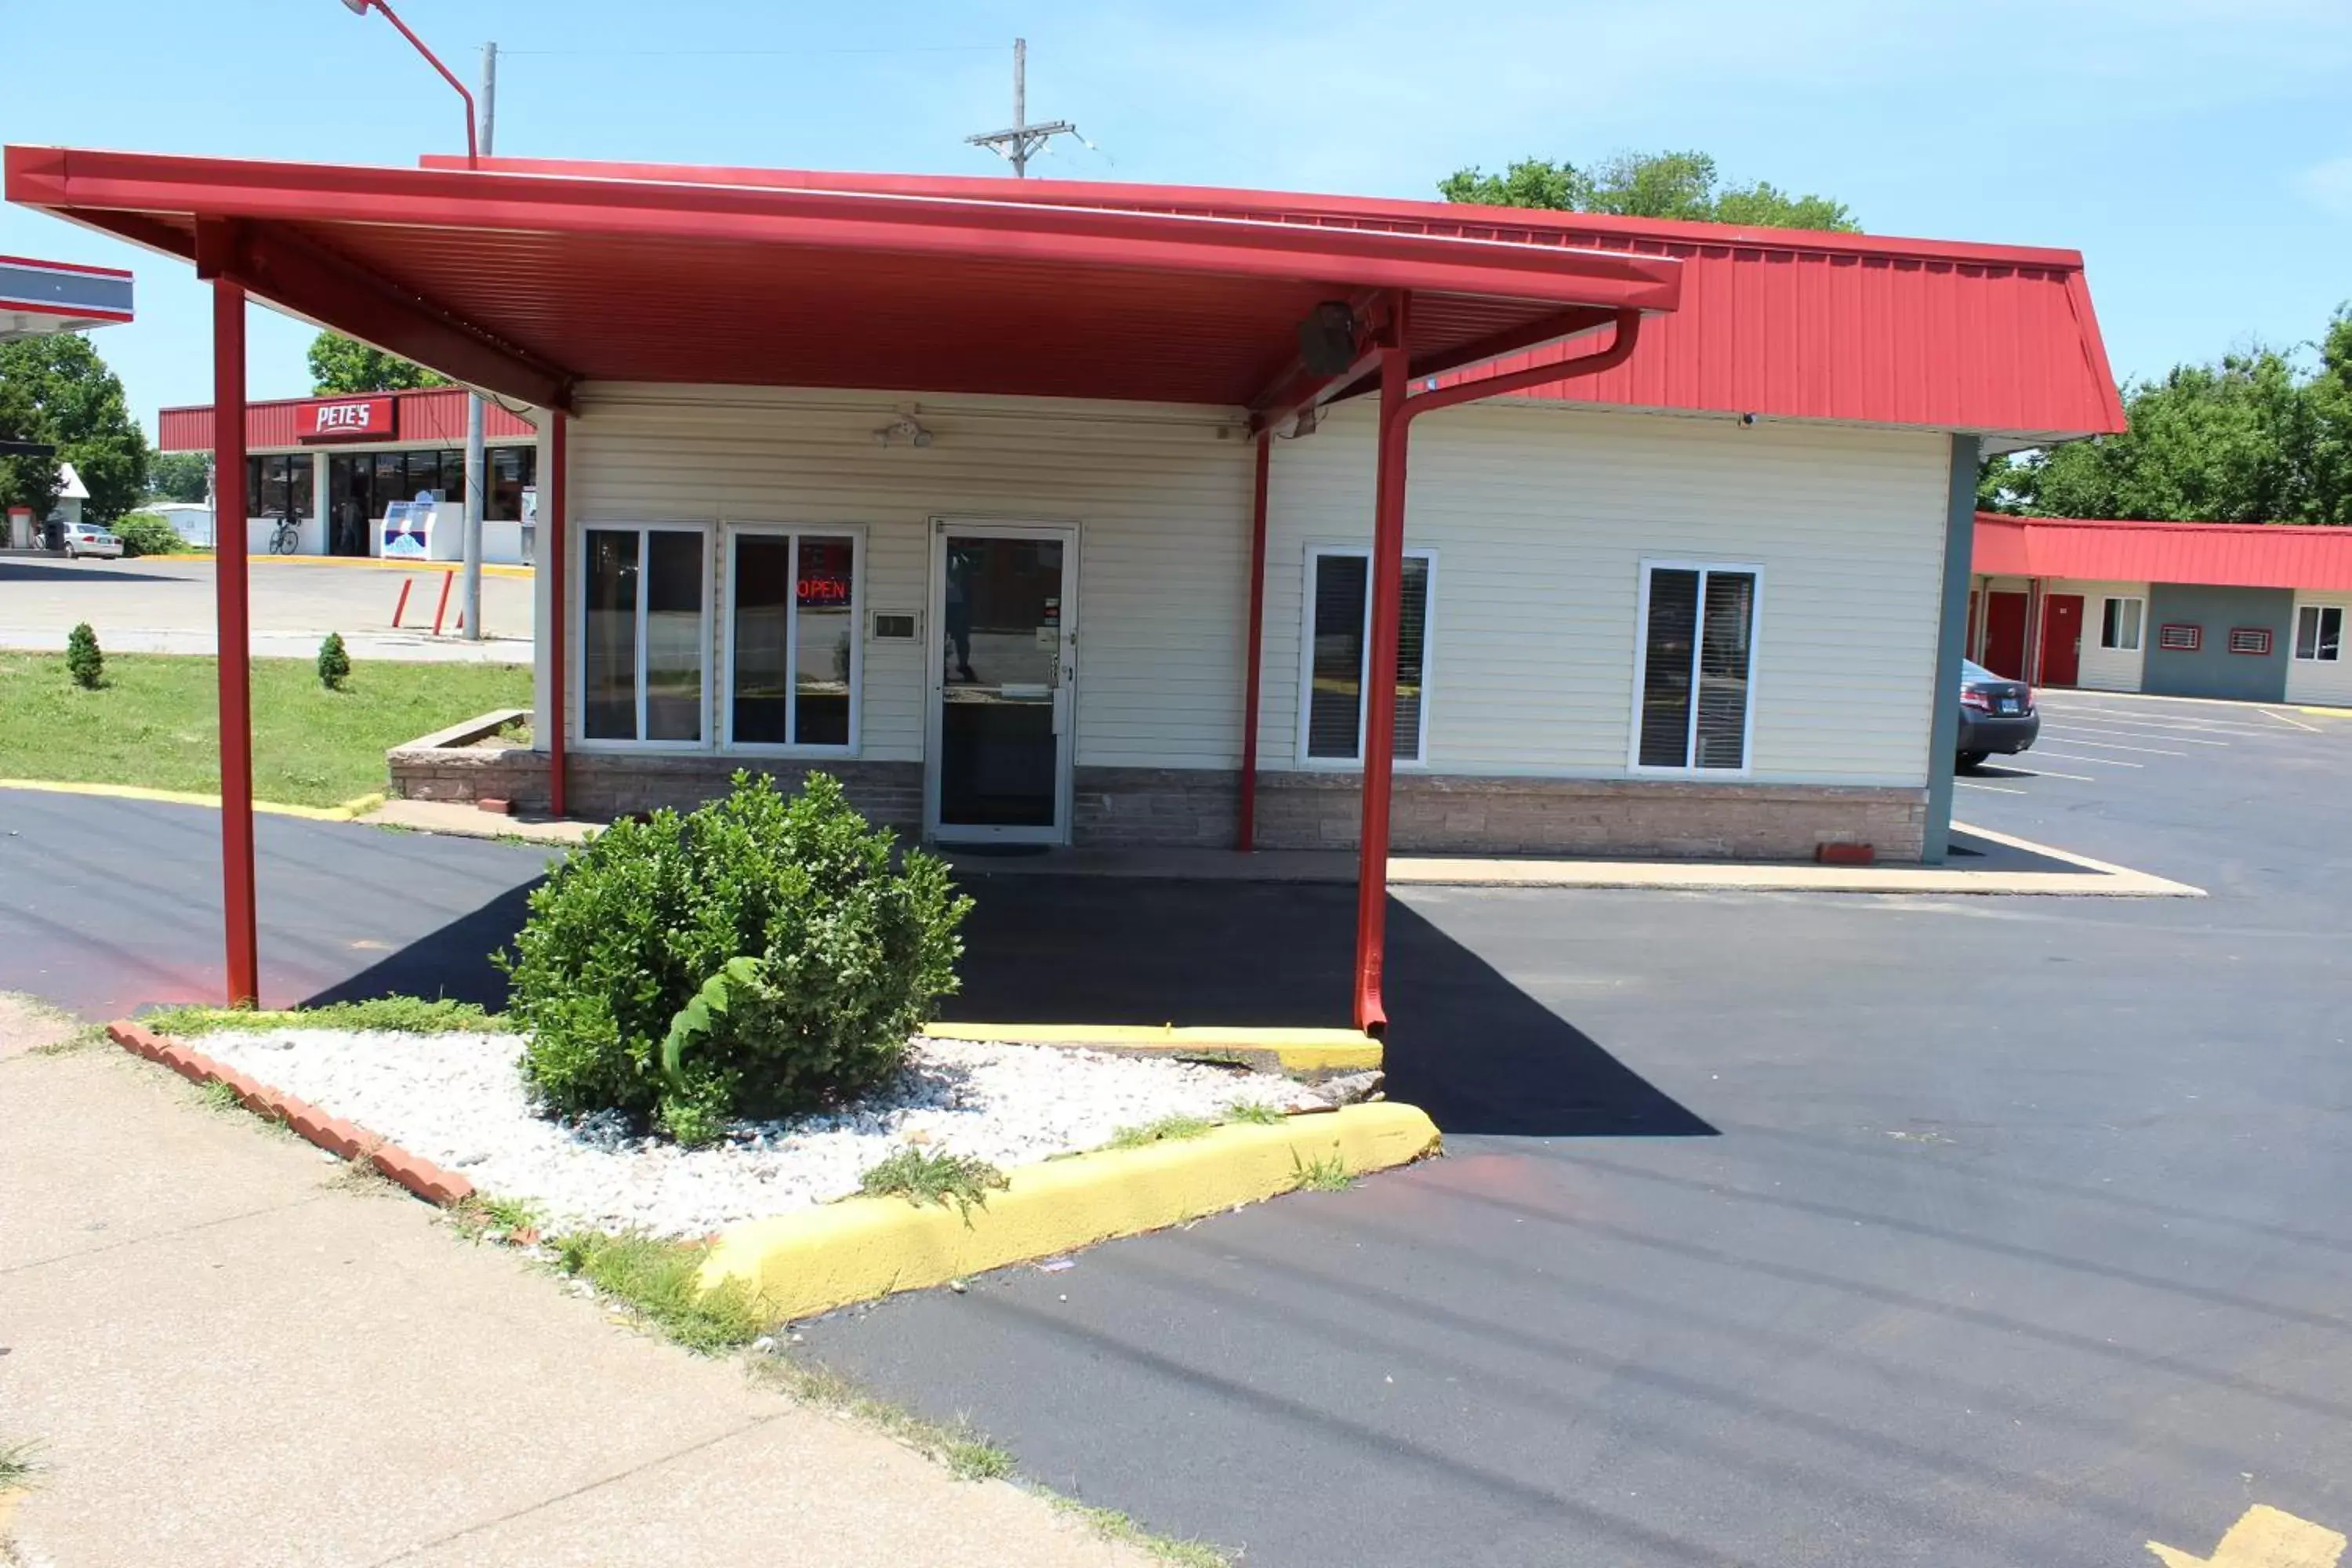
232	626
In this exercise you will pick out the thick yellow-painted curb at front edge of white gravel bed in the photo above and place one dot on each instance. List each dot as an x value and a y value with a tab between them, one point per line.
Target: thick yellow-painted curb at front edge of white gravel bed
860	1249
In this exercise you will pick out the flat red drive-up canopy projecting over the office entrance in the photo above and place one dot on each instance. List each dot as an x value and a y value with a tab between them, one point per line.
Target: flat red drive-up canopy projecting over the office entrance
530	283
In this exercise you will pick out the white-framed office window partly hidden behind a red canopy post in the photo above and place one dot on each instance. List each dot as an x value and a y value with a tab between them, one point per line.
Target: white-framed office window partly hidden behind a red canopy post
1337	650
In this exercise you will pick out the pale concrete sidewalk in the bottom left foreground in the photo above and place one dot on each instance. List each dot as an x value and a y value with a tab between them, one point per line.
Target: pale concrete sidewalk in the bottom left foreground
229	1358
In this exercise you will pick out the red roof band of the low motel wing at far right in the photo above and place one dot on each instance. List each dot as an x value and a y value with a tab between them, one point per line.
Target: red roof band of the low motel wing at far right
2219	554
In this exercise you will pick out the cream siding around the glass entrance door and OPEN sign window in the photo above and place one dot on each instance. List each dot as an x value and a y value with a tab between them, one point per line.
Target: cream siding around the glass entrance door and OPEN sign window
1158	492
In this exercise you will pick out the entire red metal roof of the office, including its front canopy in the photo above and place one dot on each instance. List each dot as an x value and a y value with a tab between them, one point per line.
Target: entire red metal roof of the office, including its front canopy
530	274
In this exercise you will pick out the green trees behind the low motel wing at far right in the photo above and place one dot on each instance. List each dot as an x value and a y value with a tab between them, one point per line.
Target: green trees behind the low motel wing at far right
2252	438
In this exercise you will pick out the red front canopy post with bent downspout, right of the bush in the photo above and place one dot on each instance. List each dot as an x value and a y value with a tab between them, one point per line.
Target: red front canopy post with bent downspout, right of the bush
1398	415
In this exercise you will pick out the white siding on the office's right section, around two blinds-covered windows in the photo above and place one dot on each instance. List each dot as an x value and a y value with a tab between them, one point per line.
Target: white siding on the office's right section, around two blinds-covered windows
1544	518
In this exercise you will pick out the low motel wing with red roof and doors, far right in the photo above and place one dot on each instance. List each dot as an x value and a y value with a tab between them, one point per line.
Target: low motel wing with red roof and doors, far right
2252	612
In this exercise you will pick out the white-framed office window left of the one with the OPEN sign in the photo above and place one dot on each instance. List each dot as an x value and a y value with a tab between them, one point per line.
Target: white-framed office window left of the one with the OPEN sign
646	636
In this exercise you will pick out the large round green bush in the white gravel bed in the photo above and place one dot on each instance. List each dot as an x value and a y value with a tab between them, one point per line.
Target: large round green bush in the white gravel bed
754	958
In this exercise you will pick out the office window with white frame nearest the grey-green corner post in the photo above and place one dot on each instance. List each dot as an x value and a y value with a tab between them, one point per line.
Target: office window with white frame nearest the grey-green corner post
1695	666
